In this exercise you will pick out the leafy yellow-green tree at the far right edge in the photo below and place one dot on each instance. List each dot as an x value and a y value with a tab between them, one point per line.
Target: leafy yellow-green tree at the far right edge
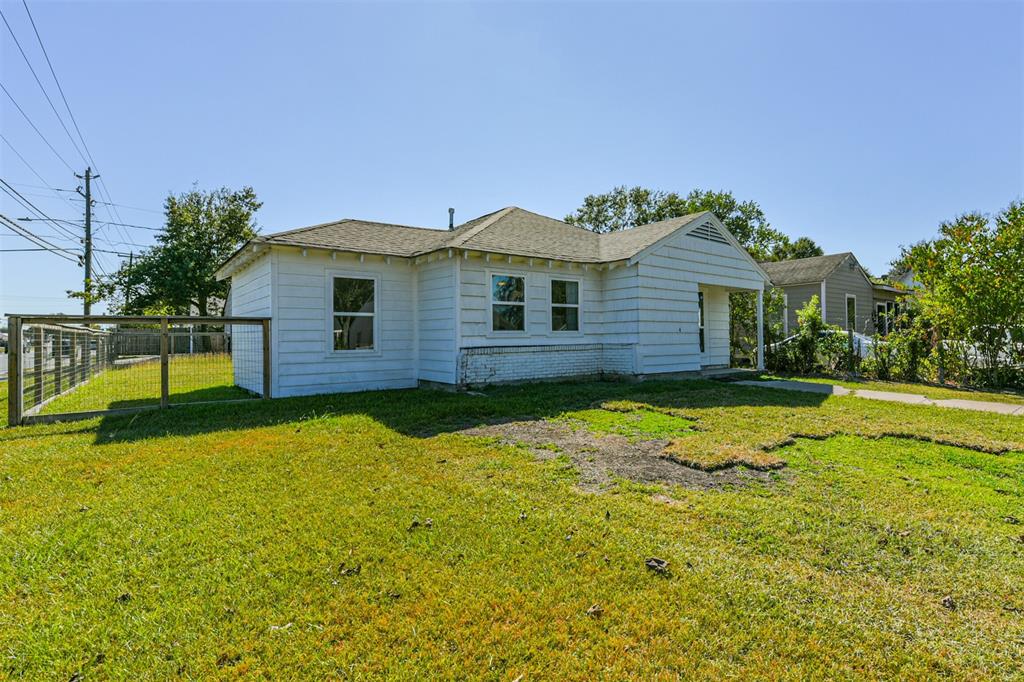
973	278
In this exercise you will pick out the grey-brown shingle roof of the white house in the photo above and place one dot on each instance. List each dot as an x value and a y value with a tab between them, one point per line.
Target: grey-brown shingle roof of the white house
510	231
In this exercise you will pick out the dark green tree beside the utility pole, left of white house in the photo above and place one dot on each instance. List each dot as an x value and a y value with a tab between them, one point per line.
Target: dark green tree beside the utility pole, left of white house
177	277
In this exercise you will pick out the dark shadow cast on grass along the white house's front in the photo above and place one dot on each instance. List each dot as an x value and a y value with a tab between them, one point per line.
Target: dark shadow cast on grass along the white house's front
425	413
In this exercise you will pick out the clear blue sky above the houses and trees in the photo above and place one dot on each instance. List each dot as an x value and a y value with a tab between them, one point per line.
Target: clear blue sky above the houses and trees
863	125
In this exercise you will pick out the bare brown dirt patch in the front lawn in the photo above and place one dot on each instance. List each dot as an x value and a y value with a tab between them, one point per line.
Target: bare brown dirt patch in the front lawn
603	458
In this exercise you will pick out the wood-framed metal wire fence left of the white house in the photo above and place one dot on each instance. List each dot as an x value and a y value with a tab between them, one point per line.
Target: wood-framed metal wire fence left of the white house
64	368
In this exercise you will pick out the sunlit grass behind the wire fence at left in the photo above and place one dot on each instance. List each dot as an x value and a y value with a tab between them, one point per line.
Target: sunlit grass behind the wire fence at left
192	379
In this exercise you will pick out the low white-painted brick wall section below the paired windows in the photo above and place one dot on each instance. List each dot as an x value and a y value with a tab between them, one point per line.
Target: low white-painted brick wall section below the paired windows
497	364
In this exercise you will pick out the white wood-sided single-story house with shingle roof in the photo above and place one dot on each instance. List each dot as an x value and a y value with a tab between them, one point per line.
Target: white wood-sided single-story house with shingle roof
508	296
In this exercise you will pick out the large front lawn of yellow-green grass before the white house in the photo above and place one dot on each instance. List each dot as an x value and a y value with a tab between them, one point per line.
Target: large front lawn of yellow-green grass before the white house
367	536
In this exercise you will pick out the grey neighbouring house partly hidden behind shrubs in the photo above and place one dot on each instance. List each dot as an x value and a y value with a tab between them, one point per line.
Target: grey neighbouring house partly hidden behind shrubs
848	296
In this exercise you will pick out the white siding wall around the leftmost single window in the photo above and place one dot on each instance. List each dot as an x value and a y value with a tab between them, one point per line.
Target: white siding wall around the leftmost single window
306	363
